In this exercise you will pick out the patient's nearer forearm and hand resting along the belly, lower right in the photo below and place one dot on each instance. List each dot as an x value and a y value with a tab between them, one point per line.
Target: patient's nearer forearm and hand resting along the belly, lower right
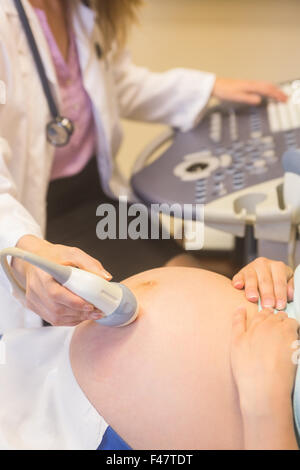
261	358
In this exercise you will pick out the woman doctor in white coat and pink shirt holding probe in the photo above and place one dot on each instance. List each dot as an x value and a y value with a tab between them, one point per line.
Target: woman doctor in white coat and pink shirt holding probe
92	84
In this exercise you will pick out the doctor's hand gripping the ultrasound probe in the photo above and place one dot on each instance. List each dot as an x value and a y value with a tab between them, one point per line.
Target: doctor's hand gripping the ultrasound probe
51	301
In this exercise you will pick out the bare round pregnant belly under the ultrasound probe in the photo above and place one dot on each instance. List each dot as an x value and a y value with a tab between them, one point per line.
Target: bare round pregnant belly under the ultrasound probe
165	381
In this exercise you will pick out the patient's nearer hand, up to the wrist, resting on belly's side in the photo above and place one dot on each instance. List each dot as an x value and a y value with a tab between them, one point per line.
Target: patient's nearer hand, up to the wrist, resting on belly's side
261	359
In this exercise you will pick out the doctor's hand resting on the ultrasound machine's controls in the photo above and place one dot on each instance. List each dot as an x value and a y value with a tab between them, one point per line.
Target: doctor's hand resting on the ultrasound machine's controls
246	91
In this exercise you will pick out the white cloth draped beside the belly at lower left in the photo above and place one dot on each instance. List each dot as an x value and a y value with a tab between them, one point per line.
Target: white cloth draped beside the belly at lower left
42	406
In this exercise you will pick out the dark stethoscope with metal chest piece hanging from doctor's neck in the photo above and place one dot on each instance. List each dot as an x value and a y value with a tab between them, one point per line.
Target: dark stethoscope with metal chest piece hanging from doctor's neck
60	129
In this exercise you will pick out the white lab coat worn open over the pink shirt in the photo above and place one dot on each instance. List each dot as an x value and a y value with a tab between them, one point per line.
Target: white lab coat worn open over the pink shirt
117	89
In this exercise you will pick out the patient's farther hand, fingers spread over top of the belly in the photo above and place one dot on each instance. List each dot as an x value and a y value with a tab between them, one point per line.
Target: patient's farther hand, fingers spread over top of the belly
271	280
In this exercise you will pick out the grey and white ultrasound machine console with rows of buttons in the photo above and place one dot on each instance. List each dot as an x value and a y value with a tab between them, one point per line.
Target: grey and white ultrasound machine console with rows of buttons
231	163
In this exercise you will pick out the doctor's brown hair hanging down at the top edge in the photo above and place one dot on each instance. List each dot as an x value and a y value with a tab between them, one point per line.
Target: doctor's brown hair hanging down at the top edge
115	18
